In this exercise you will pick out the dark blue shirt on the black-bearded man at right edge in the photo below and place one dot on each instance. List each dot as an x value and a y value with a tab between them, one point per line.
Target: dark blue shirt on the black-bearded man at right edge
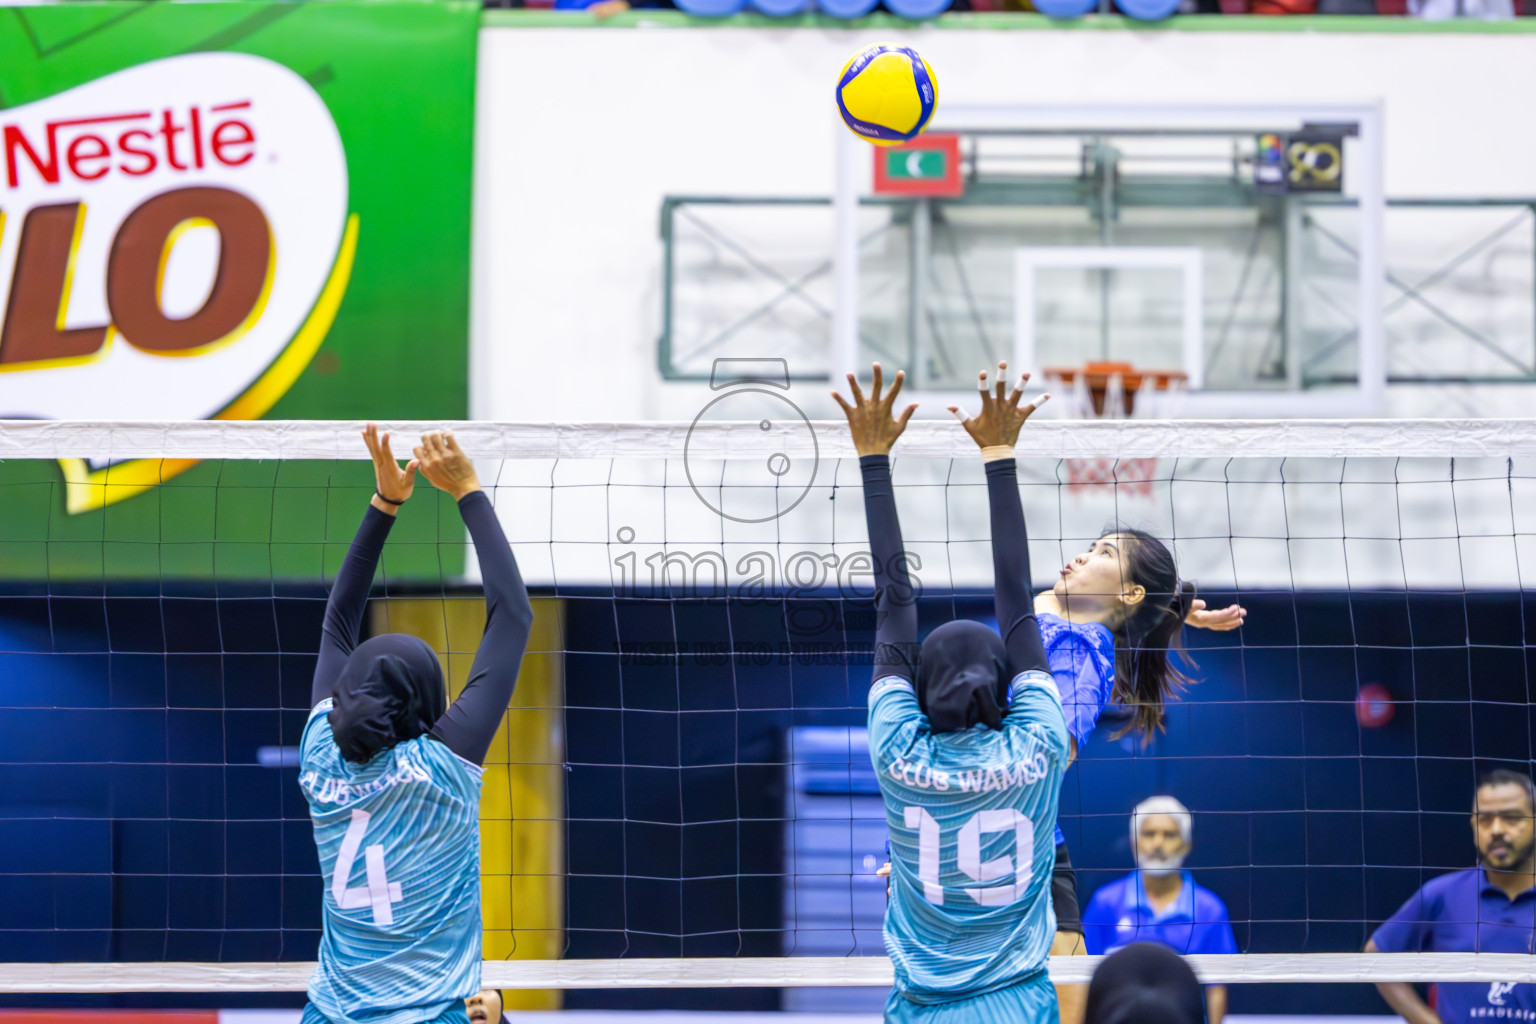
1463	913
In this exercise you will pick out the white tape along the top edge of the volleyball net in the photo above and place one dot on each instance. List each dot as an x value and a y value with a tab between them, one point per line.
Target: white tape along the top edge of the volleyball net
936	440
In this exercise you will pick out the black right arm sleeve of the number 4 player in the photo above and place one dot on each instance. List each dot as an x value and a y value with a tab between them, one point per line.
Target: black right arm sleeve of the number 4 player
471	724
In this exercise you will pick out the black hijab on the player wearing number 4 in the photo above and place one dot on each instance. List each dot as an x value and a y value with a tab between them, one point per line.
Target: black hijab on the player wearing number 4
389	692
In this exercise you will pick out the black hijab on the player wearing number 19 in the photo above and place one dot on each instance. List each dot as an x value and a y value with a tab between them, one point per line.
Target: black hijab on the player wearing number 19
962	678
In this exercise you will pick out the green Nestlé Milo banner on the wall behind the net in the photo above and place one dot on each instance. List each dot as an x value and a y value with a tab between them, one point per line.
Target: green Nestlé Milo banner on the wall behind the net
227	211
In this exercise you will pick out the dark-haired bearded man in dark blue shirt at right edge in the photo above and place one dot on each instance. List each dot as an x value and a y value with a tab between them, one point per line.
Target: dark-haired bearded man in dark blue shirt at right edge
1489	910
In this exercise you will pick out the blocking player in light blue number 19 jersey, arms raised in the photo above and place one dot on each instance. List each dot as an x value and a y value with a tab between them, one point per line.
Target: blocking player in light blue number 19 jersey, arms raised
968	741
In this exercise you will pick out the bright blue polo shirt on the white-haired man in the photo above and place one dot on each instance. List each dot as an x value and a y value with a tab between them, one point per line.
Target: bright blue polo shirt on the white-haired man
1121	914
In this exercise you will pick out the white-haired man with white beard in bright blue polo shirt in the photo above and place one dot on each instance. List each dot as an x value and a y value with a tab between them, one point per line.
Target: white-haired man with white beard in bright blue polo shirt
1159	902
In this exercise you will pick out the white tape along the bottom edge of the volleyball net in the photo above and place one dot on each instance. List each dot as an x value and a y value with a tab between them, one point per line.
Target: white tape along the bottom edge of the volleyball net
776	973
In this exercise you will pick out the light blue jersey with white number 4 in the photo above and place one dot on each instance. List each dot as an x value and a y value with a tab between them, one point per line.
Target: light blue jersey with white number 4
399	844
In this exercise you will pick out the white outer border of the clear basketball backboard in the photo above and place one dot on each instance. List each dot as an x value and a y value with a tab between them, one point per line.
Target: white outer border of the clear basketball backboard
852	174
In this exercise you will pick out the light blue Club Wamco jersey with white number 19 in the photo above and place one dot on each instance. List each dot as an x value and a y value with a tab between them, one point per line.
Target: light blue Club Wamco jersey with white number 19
973	839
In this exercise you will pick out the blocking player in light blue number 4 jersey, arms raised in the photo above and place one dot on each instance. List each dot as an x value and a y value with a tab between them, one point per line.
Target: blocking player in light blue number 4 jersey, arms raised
392	776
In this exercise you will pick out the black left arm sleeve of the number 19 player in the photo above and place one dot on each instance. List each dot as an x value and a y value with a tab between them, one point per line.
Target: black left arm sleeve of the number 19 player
895	600
